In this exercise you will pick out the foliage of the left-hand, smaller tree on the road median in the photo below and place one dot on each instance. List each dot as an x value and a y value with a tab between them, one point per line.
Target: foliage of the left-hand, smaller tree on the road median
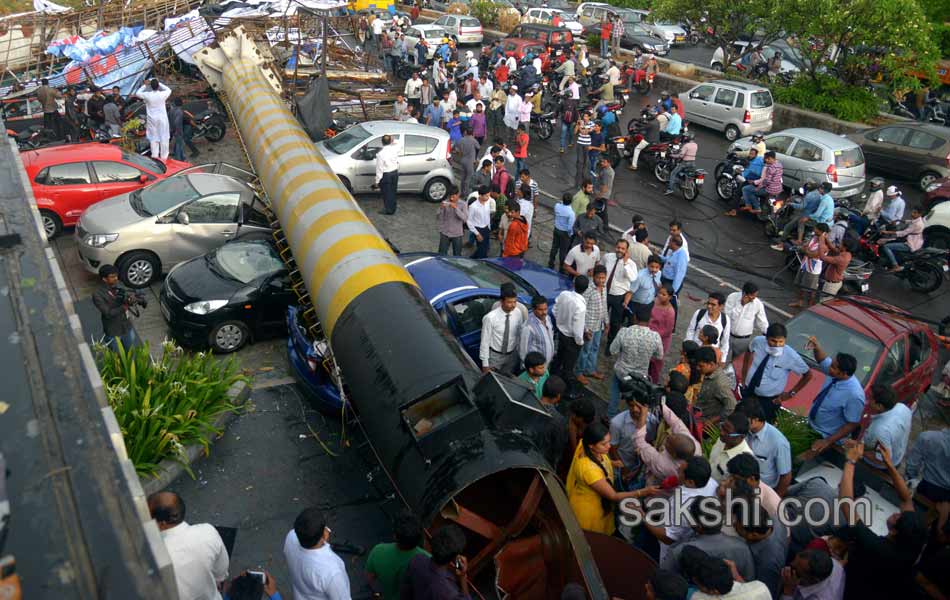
731	20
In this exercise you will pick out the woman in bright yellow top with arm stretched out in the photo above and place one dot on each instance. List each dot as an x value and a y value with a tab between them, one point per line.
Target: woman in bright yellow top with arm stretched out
590	482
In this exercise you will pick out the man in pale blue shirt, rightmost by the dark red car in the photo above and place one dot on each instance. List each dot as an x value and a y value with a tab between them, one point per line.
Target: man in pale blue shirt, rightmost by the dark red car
889	427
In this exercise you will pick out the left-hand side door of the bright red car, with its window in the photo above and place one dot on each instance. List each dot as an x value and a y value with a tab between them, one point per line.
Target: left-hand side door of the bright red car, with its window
66	189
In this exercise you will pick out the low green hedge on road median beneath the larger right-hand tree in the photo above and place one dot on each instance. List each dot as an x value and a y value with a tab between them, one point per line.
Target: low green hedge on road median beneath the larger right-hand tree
829	95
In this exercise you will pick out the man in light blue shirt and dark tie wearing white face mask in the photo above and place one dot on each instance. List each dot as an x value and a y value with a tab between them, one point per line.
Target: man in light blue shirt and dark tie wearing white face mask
765	370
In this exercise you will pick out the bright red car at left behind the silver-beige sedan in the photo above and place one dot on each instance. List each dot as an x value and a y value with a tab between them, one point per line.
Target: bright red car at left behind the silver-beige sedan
69	178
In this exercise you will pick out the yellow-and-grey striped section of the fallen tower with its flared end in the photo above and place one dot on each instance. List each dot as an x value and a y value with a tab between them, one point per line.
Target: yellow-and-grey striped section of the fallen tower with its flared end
340	254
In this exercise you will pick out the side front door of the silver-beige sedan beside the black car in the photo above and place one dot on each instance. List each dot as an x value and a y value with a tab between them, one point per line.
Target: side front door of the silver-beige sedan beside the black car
211	221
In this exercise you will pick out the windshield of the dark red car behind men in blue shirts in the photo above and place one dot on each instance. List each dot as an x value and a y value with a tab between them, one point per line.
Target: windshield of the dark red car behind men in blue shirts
834	338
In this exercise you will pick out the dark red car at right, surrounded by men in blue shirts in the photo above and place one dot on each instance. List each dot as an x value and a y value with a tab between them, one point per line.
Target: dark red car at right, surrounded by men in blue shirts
891	347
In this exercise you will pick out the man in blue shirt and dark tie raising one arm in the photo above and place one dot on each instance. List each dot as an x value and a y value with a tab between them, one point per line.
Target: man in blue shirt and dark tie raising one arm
836	411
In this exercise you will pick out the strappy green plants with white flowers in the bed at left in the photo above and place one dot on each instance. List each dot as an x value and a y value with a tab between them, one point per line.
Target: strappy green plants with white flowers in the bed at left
163	406
